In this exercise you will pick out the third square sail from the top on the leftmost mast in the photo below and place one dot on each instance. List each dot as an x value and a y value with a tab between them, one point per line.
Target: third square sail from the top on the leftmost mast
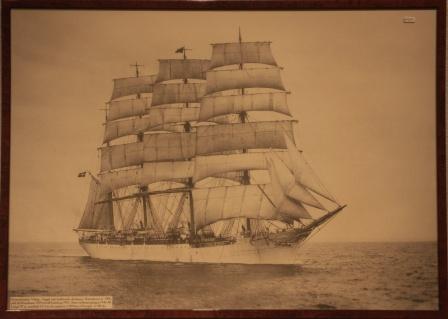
125	127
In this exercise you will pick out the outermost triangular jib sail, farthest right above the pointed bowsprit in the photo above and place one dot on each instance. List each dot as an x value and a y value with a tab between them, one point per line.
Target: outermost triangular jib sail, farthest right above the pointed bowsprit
303	173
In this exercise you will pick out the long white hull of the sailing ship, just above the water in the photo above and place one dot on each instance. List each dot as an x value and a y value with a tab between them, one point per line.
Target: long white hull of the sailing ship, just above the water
242	252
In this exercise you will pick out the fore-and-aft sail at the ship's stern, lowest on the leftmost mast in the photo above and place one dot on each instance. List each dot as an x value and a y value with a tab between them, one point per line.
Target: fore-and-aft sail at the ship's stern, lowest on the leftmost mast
97	216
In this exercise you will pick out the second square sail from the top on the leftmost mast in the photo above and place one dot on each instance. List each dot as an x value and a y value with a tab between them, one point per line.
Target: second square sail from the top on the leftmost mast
127	108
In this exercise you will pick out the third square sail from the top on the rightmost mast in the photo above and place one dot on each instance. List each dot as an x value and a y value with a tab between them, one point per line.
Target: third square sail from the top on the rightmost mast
212	106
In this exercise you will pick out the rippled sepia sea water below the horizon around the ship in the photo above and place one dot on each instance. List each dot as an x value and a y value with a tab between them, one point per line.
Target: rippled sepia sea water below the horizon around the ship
392	276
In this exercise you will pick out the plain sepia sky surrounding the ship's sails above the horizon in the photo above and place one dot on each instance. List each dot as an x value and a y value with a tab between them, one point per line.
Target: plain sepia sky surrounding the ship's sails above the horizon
362	88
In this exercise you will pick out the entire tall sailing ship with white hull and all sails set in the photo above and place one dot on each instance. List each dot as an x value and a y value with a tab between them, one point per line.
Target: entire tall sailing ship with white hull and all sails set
191	170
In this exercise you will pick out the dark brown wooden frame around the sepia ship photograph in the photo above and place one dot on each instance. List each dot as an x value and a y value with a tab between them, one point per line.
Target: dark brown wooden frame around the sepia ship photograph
439	6
